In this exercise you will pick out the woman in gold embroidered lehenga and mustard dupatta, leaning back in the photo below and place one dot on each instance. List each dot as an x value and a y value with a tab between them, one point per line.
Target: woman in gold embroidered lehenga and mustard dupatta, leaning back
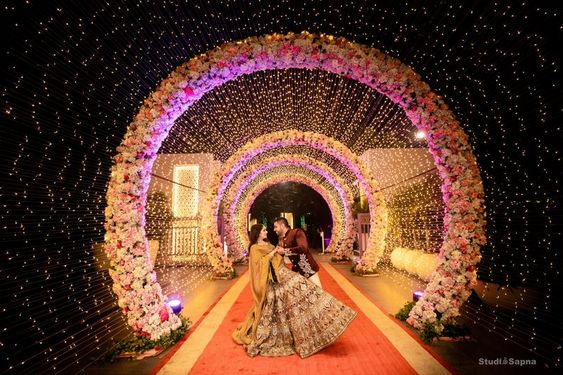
290	314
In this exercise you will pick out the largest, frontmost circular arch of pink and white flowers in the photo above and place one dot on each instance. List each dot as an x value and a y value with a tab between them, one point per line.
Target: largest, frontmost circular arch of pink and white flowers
126	245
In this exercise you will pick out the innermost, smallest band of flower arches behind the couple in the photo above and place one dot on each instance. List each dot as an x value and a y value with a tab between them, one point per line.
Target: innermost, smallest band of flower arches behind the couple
337	198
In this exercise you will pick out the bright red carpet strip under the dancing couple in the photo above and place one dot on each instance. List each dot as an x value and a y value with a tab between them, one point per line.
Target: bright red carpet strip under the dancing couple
363	349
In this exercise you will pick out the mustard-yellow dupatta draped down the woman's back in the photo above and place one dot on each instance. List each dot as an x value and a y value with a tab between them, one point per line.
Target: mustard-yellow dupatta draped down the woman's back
263	269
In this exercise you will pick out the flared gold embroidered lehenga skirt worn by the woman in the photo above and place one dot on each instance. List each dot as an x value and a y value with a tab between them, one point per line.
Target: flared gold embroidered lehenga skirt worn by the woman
298	317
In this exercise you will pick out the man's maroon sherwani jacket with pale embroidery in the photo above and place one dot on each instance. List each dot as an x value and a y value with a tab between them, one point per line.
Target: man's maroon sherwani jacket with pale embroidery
295	241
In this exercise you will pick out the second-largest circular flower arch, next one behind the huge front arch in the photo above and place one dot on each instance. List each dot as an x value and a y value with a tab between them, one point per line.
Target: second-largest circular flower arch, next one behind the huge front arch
323	143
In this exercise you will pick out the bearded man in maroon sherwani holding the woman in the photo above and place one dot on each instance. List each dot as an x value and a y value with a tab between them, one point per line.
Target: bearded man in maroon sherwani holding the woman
293	245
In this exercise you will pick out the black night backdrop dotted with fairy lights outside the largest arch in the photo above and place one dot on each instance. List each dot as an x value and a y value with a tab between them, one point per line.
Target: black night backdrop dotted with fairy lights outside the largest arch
75	73
